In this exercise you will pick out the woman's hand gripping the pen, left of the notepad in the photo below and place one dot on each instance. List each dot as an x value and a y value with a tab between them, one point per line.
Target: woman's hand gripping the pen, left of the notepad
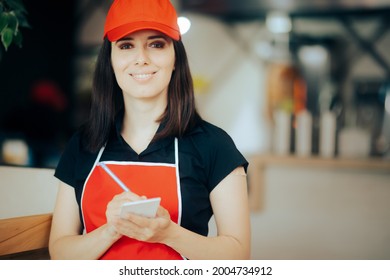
113	211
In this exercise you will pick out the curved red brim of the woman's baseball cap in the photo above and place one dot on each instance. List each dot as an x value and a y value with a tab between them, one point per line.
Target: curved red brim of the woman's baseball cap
123	30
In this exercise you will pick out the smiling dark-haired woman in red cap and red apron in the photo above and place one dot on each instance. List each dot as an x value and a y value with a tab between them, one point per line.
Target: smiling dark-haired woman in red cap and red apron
144	126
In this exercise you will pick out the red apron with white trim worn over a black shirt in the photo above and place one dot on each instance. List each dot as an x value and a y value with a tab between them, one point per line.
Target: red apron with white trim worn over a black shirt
148	179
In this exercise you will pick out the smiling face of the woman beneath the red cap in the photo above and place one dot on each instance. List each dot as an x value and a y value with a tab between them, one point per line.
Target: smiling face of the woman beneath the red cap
143	63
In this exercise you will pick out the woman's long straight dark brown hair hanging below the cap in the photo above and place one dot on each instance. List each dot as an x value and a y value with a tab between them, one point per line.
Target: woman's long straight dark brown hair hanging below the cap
107	100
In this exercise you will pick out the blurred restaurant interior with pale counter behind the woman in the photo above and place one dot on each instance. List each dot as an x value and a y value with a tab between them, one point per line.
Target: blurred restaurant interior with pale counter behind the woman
302	86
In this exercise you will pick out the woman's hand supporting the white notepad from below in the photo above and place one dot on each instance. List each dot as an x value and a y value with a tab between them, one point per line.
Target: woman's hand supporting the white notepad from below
145	229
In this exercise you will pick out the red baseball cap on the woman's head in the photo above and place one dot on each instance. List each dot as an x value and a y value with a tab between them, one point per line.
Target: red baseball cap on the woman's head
127	16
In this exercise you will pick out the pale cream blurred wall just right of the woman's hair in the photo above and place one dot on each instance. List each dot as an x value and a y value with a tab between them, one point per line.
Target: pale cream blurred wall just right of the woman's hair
229	79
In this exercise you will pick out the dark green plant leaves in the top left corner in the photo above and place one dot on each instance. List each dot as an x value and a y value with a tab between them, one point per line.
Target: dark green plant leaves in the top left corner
12	17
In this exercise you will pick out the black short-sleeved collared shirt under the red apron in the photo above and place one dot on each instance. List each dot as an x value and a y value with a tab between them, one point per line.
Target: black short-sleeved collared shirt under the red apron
207	154
